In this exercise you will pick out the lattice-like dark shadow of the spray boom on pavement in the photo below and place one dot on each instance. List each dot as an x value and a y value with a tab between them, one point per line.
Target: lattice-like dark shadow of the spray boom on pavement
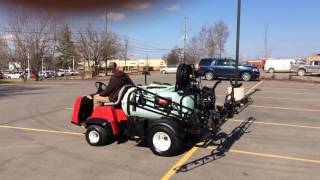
225	142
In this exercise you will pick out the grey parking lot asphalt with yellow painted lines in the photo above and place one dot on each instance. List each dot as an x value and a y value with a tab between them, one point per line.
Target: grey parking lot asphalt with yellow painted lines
277	137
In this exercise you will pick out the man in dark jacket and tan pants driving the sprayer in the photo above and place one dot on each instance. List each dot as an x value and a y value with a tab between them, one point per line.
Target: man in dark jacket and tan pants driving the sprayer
116	82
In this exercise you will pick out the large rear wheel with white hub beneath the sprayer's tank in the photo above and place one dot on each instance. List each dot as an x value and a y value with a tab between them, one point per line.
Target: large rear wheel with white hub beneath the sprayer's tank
163	141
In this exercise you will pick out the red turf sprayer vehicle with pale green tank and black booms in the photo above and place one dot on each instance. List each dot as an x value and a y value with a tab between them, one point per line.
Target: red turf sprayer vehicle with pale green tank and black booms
160	114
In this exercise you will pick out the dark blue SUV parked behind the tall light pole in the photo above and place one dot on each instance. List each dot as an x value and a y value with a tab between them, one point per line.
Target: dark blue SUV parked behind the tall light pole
212	68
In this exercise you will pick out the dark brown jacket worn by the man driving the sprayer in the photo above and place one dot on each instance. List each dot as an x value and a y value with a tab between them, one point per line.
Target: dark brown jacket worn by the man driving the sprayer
117	81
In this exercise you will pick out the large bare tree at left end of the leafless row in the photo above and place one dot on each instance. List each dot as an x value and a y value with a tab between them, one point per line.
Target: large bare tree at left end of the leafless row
32	36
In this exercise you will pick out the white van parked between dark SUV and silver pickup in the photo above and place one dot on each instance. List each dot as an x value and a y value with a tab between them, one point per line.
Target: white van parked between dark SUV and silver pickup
278	65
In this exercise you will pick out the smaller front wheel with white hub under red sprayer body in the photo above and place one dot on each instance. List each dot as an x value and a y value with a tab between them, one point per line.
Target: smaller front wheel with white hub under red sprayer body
97	135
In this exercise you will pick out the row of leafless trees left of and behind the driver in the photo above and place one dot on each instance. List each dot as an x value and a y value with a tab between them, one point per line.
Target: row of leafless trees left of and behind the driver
42	36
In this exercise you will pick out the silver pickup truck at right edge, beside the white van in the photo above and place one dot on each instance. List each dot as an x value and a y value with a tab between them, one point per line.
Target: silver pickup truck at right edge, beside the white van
305	69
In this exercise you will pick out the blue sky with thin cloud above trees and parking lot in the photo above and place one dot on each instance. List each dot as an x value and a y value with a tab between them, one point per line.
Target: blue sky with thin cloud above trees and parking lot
152	28
